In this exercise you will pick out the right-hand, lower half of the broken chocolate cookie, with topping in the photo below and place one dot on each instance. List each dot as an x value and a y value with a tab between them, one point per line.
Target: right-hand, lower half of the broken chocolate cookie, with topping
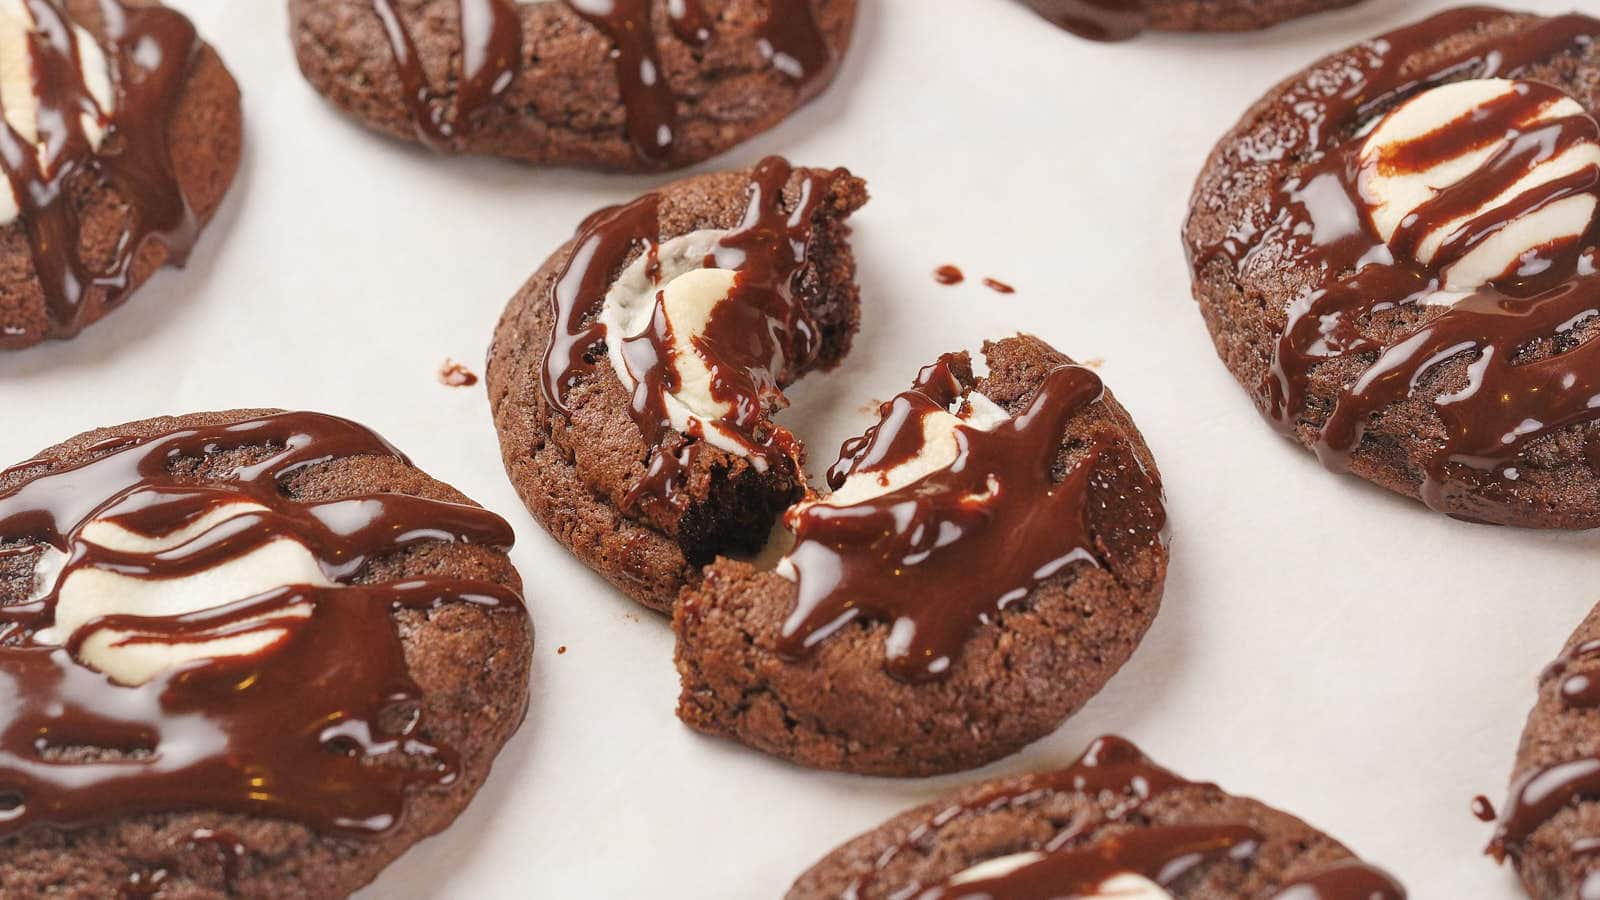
991	555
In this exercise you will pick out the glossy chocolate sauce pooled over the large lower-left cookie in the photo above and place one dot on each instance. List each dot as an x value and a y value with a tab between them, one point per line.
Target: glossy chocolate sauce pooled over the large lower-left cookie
322	726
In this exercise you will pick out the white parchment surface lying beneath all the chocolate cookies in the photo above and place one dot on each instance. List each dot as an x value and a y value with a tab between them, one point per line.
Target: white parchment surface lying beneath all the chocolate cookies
1334	651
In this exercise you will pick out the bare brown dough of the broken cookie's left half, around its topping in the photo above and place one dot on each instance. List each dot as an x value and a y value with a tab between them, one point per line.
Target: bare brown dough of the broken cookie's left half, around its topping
575	470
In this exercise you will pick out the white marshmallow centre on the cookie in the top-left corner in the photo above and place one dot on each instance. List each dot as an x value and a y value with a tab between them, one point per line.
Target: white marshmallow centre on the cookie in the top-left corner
20	92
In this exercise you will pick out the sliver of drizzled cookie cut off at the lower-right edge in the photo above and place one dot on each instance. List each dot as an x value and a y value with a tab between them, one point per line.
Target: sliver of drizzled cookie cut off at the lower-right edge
1551	824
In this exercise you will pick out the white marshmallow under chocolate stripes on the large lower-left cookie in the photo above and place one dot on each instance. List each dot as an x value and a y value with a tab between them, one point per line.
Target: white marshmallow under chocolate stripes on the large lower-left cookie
87	595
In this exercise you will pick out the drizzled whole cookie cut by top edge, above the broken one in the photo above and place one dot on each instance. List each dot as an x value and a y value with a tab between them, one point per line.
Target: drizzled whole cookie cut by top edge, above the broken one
626	86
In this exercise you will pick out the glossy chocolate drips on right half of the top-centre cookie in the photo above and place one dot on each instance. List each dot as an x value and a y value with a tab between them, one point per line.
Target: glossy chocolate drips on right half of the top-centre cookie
790	39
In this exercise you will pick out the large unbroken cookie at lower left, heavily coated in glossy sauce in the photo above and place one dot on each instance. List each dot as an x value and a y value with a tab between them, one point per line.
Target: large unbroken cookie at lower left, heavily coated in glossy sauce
250	654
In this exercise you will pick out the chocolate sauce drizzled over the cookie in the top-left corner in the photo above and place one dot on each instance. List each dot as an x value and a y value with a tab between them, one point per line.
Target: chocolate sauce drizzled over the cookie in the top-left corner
151	52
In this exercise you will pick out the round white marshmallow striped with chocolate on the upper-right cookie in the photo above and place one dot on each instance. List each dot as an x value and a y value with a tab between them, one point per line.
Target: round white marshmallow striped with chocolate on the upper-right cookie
1394	196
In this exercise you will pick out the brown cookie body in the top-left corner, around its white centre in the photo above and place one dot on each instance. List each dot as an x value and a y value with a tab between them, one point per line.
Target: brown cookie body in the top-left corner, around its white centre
116	217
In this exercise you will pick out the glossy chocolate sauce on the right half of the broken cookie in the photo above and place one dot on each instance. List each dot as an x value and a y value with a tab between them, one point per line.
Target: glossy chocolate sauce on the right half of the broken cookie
910	556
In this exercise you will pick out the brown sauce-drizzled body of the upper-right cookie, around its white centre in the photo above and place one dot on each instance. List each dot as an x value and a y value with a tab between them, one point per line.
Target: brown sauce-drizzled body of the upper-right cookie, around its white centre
1482	416
